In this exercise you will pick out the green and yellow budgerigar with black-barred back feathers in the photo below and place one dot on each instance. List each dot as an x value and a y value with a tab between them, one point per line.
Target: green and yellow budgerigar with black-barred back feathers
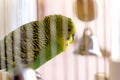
35	43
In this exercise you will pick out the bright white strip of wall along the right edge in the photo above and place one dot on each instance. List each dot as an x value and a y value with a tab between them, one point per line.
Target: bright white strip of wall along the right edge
115	23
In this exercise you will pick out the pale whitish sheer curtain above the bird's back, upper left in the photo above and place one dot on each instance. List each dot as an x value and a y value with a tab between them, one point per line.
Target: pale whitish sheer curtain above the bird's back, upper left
14	13
